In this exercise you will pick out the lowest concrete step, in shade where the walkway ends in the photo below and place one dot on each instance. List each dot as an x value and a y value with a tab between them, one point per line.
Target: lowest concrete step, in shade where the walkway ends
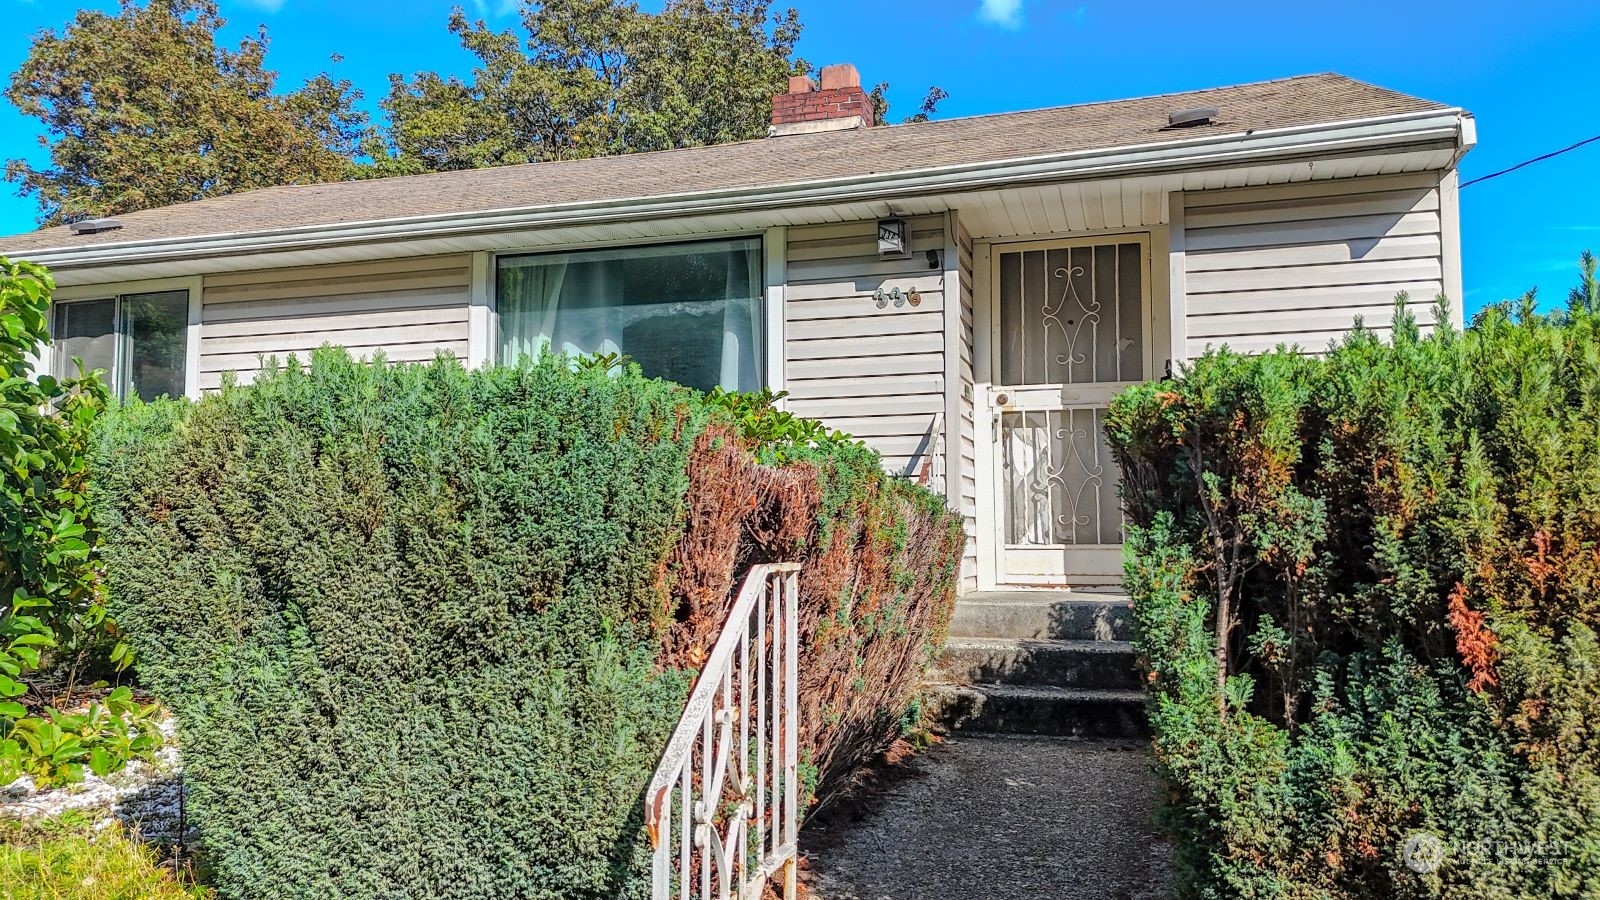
1034	710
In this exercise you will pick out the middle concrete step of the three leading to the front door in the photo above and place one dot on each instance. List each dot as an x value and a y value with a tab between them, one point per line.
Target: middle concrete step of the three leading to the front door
1039	662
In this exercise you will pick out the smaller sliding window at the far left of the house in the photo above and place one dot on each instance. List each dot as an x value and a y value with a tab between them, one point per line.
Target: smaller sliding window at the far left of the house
138	339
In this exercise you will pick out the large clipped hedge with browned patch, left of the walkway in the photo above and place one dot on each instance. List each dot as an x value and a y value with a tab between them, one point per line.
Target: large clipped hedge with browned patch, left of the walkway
426	632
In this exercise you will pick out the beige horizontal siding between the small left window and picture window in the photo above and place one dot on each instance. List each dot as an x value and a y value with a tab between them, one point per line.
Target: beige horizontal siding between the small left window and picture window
409	310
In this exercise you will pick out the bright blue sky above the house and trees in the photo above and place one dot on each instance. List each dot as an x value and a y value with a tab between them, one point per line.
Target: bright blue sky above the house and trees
1526	71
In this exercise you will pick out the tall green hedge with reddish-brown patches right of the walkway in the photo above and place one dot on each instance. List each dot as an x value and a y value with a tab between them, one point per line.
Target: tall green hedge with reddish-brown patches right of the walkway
1398	552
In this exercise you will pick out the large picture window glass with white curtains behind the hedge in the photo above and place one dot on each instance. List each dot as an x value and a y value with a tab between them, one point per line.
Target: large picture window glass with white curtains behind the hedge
690	313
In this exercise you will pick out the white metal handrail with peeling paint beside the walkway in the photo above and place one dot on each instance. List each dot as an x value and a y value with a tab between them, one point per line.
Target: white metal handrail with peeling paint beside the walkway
722	806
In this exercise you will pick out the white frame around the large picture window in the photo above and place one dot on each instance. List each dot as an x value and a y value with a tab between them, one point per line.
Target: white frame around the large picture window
772	251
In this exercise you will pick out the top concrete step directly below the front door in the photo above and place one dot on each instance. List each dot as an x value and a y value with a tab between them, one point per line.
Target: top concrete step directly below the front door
1052	616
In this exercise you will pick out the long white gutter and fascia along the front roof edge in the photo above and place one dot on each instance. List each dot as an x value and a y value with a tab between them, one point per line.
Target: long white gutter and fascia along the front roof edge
1270	145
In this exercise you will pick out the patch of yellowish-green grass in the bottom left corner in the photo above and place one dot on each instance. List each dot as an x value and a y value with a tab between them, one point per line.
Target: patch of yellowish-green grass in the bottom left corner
68	859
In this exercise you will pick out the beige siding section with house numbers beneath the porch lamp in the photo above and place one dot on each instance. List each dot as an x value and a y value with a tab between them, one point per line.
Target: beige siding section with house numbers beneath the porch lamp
878	374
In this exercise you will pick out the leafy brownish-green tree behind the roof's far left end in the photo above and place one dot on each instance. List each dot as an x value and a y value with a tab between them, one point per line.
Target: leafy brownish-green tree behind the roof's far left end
143	108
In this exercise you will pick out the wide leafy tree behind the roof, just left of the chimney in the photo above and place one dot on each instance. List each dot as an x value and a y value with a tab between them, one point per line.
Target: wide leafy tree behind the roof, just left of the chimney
596	78
